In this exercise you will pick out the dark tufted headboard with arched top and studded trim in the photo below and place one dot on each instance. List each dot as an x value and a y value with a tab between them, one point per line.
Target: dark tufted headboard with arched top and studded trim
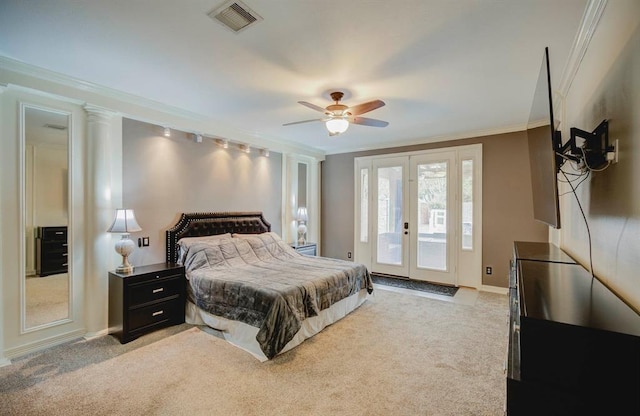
198	224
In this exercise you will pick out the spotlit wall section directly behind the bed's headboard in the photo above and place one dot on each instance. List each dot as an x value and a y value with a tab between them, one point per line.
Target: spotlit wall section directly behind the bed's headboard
164	177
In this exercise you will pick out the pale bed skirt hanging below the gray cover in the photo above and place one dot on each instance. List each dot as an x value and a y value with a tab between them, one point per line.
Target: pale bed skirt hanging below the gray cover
244	336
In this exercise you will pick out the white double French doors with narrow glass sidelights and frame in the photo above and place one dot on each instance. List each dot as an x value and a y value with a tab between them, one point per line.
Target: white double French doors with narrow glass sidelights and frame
418	215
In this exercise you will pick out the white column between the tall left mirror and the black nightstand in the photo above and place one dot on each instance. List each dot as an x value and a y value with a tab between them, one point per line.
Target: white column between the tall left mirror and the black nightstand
98	214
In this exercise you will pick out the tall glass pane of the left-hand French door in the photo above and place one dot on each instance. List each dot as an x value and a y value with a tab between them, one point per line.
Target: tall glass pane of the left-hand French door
390	215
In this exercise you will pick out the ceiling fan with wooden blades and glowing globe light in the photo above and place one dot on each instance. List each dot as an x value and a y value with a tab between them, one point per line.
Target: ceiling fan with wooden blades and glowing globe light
338	116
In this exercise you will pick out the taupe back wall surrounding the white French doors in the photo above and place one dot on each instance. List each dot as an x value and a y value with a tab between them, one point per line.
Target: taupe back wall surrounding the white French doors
507	202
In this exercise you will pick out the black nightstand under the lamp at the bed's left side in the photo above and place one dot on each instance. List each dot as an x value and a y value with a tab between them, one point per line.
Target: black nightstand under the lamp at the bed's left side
149	298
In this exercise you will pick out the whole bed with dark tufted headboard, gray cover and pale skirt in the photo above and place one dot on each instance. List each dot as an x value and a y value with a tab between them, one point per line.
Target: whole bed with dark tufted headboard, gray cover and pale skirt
265	297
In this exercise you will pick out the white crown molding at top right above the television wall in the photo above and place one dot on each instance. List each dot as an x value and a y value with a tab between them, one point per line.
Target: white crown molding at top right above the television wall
590	19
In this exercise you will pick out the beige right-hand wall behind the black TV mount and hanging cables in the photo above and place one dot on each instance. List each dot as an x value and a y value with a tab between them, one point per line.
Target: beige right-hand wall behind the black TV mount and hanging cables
607	86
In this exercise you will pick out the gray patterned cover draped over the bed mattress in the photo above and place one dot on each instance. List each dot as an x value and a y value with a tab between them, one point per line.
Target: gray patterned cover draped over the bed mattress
261	281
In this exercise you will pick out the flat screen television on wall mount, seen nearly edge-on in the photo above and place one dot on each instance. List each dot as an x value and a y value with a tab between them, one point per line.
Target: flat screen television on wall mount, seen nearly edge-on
544	146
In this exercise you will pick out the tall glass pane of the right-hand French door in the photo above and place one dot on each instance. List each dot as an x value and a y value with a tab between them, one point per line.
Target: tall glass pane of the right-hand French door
432	215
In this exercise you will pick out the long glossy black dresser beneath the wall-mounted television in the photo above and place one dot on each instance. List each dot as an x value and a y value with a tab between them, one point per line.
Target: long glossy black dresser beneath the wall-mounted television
574	346
